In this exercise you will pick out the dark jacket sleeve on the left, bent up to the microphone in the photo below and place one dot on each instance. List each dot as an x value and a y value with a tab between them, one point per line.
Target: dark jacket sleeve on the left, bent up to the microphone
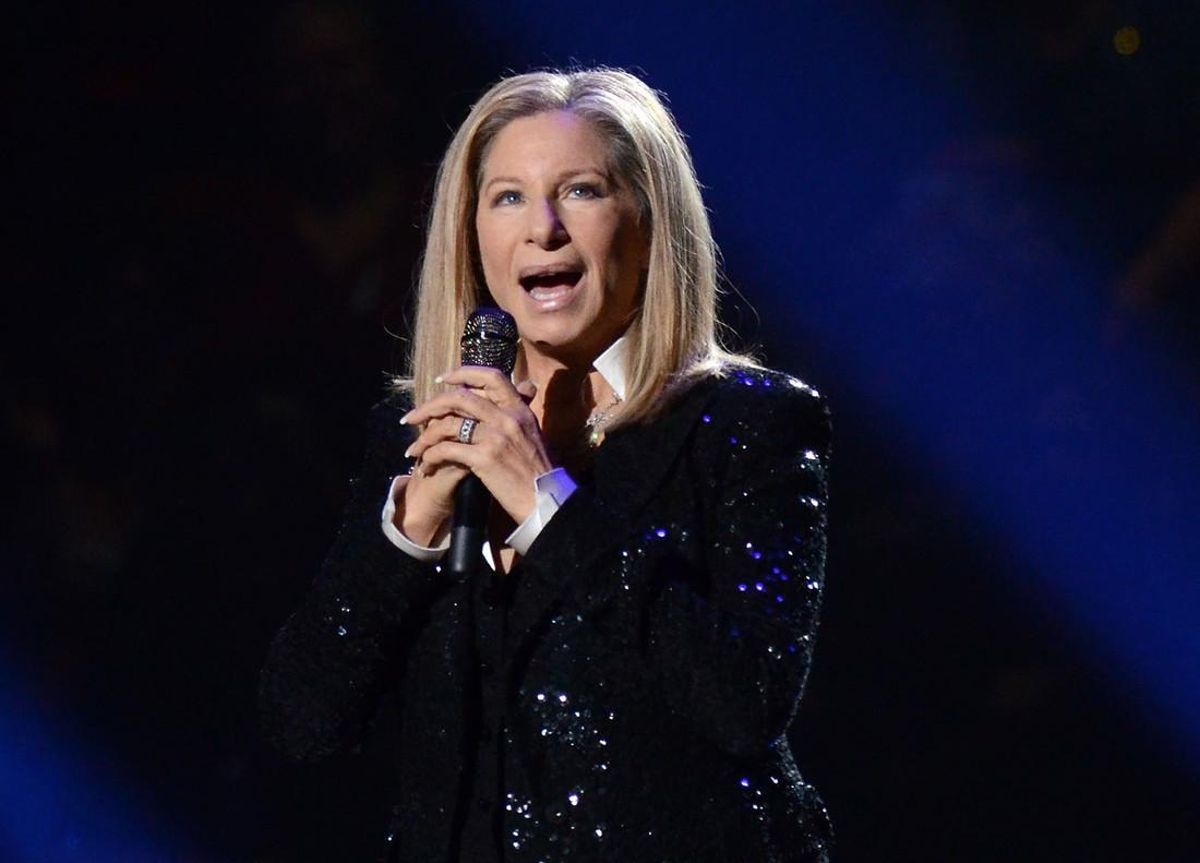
331	663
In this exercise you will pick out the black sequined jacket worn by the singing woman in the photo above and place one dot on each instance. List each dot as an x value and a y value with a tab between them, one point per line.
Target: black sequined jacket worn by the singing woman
625	694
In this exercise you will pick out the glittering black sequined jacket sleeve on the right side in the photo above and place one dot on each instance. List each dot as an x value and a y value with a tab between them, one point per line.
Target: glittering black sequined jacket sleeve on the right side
729	648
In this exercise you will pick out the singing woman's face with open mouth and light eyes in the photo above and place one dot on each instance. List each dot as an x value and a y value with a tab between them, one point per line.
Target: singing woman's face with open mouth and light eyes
560	237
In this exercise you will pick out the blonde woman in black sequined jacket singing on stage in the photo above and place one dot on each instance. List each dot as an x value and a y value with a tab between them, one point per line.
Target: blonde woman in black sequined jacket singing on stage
620	684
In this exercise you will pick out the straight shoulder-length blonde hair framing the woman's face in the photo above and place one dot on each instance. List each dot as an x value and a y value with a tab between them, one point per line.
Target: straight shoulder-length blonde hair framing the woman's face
674	338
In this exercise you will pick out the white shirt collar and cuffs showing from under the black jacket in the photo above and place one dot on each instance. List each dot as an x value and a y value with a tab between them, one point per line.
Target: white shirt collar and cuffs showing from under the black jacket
551	489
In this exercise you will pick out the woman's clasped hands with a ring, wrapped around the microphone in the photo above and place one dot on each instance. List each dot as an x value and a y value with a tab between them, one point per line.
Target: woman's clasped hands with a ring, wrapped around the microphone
507	452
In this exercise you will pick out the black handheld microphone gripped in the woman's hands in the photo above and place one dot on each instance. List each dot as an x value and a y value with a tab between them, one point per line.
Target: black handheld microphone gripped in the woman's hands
490	339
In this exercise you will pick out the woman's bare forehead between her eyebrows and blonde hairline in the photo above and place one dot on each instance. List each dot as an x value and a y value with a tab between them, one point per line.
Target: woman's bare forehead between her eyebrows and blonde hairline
551	141
